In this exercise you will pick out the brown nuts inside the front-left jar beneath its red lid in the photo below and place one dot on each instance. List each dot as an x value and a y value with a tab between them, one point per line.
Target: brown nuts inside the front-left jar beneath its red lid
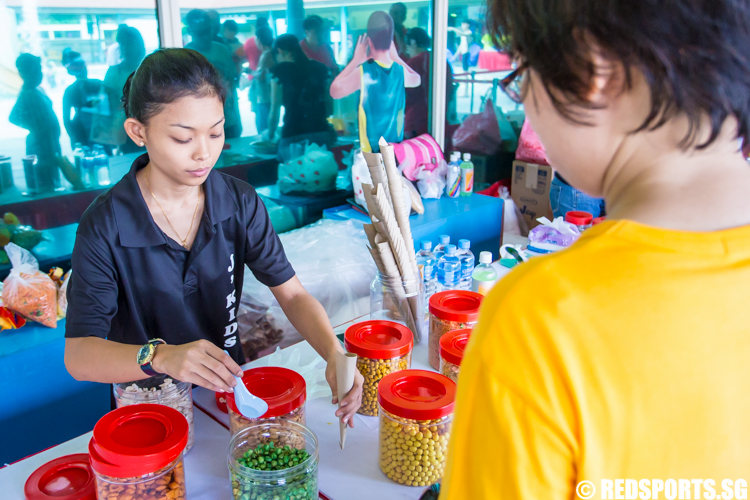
166	484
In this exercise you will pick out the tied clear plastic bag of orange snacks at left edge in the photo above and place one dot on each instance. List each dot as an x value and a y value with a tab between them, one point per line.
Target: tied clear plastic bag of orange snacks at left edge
28	291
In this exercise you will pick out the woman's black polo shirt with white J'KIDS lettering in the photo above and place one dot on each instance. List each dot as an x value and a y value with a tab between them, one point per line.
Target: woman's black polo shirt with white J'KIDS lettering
131	282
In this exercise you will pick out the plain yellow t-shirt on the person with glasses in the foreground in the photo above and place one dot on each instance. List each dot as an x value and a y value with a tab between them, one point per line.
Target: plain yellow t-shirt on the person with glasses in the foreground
626	356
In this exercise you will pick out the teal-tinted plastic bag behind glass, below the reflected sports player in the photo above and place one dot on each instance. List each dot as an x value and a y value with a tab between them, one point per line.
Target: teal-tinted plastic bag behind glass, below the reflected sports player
312	172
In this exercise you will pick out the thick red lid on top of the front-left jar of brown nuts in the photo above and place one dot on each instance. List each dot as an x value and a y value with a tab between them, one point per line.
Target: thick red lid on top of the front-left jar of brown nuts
136	440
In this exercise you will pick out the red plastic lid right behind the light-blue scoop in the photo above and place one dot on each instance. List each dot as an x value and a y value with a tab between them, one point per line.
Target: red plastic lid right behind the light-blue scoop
283	389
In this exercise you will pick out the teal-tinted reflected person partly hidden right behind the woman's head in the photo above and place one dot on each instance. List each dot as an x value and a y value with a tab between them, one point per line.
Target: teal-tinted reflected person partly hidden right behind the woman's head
200	28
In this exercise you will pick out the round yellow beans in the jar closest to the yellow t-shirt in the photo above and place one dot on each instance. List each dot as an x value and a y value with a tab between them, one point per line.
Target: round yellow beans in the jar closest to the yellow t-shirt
412	452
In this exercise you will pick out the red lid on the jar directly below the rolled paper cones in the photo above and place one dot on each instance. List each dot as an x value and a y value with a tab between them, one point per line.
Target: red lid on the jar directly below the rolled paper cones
378	339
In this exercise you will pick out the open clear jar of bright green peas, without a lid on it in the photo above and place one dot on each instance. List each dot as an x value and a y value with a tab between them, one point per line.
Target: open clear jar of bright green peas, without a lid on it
274	460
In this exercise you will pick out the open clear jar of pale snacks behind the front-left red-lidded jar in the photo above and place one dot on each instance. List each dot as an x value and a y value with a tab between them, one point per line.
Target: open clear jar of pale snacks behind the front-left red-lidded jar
159	390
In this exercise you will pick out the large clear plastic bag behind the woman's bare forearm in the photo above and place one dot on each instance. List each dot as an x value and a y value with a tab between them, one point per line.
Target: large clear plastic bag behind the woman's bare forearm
332	262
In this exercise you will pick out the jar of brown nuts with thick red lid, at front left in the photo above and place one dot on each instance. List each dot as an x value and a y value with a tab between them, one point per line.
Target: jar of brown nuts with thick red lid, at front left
137	452
